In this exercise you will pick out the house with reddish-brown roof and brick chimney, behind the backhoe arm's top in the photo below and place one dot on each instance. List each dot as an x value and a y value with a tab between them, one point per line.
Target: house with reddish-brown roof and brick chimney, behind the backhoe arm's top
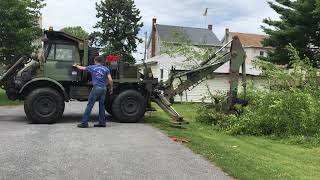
252	44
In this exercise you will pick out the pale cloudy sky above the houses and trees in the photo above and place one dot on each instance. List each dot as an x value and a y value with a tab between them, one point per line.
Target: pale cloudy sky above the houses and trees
237	15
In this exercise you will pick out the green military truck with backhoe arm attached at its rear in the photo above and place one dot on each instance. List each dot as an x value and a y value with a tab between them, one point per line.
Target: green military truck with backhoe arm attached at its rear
46	84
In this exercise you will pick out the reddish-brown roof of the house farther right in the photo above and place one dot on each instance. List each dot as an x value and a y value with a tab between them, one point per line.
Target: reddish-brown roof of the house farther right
254	40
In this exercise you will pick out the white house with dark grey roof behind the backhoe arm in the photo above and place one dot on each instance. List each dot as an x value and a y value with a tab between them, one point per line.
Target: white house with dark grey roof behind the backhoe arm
161	63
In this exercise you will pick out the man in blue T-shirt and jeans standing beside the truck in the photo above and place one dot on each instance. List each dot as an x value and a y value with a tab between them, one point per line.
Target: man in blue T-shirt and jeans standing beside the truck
99	74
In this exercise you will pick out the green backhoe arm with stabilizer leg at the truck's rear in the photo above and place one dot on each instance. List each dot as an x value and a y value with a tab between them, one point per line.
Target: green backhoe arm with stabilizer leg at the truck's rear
192	78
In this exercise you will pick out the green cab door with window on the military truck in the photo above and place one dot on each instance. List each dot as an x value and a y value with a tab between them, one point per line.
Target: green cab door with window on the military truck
59	63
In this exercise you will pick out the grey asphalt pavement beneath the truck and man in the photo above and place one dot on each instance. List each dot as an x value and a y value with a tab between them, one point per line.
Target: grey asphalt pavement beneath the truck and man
120	151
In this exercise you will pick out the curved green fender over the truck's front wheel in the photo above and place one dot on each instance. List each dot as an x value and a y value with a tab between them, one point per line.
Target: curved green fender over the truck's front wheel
51	81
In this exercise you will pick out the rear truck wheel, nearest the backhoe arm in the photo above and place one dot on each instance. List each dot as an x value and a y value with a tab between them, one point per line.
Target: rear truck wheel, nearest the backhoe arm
129	107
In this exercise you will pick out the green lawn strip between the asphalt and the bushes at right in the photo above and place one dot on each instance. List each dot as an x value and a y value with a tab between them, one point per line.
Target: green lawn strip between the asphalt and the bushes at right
242	157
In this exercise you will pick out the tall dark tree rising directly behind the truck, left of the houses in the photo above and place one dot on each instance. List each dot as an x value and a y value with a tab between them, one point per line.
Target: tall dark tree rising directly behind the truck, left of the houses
120	23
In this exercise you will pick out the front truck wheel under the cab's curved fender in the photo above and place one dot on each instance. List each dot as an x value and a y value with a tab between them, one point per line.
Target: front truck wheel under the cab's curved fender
44	106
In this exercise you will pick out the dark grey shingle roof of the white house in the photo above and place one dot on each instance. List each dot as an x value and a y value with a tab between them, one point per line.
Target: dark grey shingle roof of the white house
198	36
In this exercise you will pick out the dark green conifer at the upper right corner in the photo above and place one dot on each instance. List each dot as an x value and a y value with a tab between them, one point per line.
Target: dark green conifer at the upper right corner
299	25
